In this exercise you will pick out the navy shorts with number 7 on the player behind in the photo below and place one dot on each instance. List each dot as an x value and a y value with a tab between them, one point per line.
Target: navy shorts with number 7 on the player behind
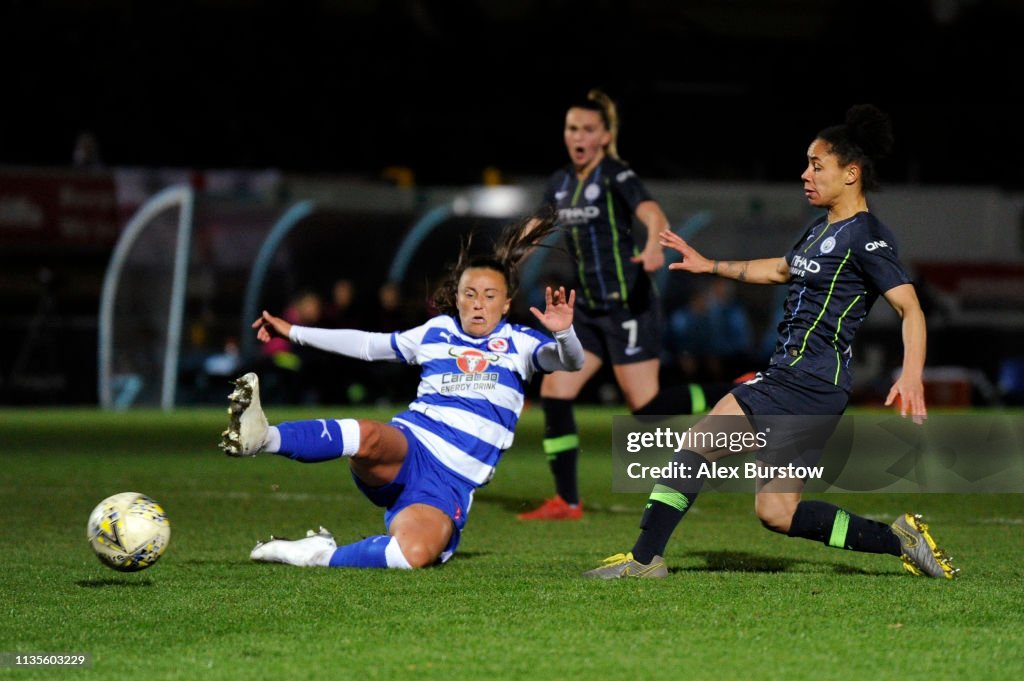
621	336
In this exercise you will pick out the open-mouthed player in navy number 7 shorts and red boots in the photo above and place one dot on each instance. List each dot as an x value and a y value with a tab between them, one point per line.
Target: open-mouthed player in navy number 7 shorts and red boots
619	318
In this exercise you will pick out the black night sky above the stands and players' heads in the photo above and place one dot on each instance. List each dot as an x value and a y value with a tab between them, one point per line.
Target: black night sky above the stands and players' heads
709	90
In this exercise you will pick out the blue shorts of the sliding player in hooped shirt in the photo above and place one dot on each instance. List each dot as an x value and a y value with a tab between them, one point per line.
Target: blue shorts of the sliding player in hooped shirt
423	480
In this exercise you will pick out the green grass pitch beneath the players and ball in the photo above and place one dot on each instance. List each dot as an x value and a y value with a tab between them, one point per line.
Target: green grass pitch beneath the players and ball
741	603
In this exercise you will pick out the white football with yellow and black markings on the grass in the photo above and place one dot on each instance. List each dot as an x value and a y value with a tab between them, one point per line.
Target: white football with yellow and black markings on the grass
129	532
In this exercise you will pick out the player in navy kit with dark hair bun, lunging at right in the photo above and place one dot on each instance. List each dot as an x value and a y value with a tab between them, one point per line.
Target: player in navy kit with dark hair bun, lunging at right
845	261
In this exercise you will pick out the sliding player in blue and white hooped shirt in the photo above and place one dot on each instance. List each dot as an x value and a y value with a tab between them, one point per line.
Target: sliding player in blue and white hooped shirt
425	465
